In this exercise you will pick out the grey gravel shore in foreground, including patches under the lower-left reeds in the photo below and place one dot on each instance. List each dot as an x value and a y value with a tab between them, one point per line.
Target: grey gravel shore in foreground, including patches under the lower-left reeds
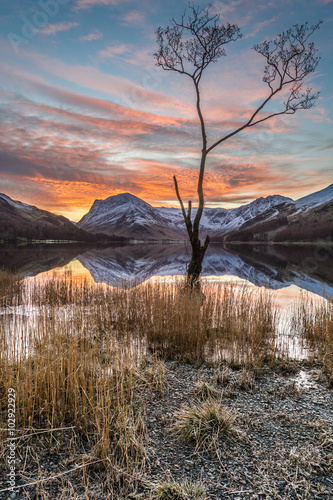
285	448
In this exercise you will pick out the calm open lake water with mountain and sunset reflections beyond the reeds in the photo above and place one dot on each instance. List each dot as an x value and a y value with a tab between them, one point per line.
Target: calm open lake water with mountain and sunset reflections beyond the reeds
289	271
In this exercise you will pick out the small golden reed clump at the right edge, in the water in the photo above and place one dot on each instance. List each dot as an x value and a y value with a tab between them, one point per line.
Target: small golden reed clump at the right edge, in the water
313	321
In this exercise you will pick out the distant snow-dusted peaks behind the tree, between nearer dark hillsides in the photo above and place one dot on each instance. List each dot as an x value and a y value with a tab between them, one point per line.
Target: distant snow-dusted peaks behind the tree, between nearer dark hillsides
128	215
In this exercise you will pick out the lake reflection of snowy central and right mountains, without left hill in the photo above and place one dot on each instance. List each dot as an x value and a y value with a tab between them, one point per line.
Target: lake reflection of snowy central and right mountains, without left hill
271	268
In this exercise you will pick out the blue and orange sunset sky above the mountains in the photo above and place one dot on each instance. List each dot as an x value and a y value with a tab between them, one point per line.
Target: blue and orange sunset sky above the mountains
85	113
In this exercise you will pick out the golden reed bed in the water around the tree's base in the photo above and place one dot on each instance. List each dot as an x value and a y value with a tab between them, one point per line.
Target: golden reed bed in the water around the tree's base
225	322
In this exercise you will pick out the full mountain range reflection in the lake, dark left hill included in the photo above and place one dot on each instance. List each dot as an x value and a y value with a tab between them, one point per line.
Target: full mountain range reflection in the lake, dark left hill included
310	268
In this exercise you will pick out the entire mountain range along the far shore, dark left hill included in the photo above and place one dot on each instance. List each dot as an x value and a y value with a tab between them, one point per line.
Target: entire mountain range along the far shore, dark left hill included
128	216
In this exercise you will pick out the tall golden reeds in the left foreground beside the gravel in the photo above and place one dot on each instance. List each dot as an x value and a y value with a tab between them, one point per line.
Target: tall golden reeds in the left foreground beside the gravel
72	380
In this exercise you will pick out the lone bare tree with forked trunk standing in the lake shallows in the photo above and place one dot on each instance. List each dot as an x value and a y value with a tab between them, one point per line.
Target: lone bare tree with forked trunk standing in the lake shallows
190	45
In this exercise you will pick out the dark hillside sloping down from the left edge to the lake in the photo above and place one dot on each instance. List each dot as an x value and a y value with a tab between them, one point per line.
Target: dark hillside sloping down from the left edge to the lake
20	220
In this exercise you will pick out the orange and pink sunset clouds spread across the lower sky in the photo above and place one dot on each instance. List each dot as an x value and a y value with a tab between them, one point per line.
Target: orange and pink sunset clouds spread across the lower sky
62	150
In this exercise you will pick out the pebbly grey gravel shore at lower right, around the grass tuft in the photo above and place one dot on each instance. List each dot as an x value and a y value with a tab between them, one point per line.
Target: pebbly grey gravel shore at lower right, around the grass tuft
287	447
